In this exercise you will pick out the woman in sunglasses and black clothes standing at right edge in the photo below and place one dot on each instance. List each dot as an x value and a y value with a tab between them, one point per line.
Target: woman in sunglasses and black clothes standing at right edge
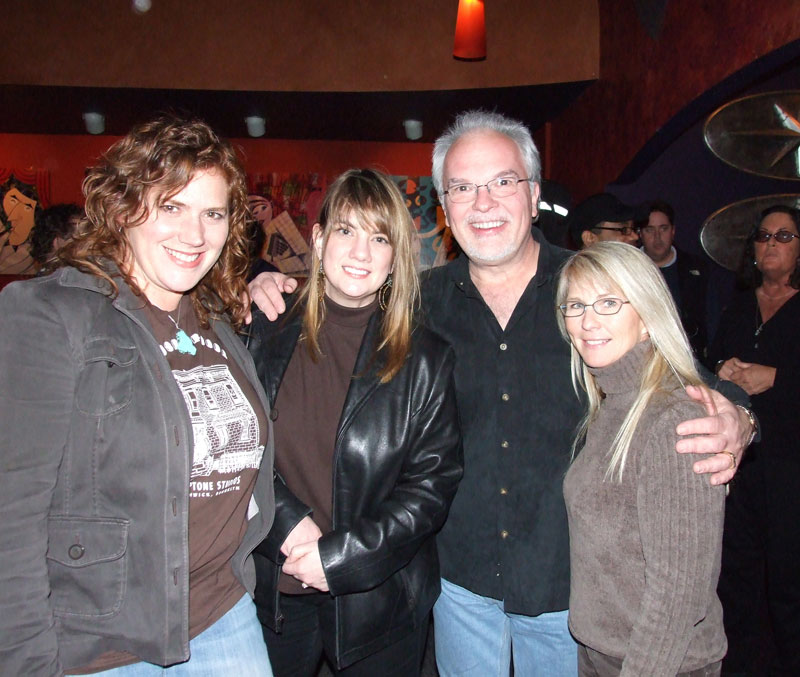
757	346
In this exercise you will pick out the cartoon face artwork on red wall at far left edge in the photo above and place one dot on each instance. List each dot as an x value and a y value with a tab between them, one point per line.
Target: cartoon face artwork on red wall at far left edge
23	194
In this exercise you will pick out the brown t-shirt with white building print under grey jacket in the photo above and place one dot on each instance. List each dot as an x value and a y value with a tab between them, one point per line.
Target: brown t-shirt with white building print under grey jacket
229	427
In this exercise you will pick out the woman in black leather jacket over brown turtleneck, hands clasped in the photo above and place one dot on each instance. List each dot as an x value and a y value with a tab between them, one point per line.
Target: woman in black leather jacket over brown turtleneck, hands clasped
368	447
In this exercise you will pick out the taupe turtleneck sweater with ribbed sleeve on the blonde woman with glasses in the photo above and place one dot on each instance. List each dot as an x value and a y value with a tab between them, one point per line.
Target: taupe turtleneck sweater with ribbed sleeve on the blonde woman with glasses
644	552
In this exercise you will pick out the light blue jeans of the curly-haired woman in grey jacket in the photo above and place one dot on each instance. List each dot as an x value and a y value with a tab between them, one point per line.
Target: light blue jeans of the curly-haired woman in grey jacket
234	645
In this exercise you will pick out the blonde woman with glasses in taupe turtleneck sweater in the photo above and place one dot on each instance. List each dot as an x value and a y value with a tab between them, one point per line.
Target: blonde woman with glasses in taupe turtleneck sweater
645	530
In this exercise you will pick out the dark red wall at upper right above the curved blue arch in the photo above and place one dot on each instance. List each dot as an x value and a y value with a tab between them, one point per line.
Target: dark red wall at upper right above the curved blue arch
645	82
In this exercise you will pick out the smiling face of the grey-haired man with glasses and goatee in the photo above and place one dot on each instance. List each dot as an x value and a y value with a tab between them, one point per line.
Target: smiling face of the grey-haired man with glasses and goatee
492	231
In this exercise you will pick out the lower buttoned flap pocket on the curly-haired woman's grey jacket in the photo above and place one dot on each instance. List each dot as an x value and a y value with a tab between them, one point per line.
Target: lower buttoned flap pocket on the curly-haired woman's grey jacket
87	565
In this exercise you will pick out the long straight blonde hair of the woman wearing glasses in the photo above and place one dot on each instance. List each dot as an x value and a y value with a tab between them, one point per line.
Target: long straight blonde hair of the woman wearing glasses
623	269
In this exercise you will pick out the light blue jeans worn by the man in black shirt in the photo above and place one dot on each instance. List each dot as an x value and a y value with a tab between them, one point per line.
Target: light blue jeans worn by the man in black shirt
476	636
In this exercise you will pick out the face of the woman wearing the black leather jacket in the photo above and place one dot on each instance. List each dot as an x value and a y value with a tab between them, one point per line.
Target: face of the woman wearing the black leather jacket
356	259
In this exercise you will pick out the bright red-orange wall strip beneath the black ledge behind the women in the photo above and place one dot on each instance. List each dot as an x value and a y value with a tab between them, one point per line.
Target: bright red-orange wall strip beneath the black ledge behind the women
66	157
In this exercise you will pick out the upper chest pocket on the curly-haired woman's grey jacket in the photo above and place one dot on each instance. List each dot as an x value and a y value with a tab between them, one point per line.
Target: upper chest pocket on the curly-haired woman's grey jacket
105	385
